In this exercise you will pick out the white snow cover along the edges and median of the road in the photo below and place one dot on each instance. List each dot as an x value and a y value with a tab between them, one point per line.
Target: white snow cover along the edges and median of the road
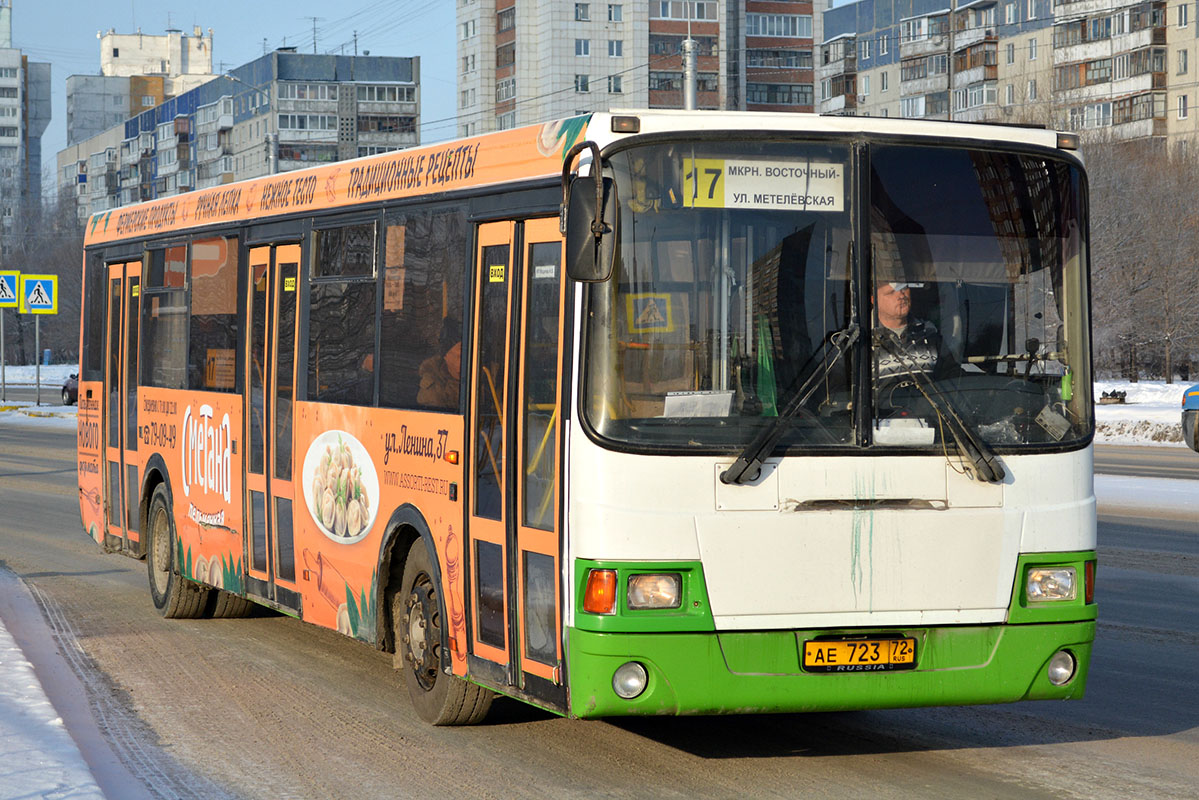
40	760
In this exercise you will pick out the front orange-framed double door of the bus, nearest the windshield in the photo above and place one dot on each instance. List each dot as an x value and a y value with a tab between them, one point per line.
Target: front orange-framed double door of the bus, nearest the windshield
516	424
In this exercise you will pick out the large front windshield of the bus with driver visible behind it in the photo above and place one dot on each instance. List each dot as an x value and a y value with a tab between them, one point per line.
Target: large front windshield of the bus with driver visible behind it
745	297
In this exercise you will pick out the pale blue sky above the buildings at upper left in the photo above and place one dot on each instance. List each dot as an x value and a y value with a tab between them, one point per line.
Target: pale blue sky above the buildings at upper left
64	34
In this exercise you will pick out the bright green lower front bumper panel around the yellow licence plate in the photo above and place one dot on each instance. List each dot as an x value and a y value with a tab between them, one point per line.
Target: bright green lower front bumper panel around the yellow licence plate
760	672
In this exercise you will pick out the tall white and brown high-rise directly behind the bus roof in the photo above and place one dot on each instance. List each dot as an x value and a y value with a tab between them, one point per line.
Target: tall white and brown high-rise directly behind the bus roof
523	63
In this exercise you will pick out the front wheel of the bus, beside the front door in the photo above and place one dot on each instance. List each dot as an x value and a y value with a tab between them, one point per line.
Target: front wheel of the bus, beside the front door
417	616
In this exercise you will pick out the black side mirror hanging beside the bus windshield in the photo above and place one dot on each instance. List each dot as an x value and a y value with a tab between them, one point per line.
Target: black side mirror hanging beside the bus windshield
591	234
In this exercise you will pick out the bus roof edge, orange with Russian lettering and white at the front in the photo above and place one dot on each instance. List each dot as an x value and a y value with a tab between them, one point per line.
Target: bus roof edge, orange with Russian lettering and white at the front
490	160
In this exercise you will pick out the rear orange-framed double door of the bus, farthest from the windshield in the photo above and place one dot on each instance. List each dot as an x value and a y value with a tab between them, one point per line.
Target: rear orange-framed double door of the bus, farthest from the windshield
122	488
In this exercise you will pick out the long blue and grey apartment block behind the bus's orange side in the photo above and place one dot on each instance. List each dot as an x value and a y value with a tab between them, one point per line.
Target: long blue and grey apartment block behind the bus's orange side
285	111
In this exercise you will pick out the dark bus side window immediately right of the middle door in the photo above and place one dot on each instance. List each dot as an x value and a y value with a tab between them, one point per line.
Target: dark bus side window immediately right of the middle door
342	316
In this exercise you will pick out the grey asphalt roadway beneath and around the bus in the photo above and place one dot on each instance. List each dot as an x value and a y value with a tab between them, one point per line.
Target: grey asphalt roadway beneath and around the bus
270	707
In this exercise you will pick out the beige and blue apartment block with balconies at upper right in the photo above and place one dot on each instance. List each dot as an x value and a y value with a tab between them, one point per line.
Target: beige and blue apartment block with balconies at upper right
1123	70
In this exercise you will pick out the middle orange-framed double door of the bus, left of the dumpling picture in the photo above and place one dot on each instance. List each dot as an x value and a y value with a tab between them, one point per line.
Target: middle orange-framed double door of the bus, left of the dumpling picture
270	399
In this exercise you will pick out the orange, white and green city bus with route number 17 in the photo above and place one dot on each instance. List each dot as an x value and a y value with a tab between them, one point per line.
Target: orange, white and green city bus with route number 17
625	414
